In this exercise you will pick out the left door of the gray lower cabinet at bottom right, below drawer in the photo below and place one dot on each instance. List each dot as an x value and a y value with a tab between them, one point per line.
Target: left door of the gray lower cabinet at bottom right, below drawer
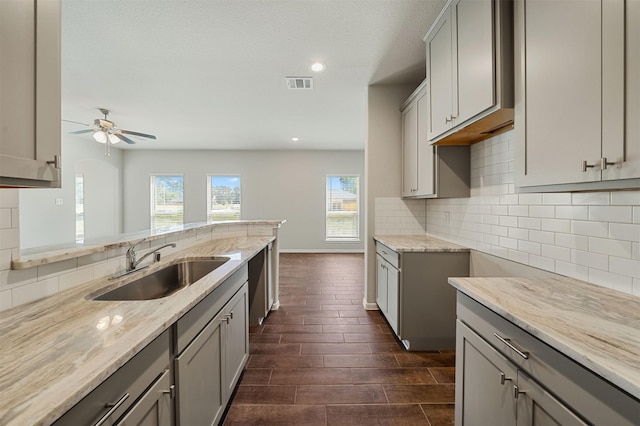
484	382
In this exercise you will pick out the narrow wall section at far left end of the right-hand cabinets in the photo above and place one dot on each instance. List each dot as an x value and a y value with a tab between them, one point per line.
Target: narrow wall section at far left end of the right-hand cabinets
383	164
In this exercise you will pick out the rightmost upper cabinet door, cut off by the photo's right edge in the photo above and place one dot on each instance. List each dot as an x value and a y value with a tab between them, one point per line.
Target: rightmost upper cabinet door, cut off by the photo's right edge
621	90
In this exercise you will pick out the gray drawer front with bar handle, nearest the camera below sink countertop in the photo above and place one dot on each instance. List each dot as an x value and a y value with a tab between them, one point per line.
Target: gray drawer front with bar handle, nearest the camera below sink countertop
124	386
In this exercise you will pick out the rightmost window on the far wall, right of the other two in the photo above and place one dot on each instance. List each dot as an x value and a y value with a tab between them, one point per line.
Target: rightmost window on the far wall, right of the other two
343	208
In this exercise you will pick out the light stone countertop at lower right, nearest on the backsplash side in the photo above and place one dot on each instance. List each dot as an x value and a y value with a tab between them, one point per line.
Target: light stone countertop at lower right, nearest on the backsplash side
596	327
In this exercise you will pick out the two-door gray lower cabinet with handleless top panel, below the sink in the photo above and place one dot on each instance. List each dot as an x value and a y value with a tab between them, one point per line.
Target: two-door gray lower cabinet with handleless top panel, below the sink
213	348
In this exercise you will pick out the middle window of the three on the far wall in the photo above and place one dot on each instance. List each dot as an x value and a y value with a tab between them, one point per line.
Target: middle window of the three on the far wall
223	197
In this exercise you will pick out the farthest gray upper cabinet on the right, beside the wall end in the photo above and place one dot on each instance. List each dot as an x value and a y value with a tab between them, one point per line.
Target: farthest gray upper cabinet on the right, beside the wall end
429	171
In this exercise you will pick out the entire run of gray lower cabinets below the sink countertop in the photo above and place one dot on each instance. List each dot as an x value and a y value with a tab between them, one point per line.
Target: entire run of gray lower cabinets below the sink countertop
155	389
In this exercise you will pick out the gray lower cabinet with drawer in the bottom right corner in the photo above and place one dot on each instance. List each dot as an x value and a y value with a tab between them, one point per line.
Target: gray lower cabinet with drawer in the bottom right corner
505	376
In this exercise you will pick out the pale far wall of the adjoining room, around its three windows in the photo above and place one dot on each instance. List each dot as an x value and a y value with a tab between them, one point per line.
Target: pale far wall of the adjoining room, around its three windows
275	185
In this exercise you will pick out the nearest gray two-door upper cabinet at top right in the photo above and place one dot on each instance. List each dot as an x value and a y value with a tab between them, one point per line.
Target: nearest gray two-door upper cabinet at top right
577	94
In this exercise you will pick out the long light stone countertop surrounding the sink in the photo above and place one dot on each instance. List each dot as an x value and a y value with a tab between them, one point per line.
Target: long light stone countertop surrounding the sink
53	354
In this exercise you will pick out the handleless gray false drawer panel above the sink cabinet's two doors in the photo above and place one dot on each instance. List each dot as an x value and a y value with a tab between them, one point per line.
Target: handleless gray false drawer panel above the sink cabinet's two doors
191	323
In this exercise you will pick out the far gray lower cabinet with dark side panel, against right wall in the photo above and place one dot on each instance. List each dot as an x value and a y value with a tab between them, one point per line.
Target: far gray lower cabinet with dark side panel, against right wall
414	295
